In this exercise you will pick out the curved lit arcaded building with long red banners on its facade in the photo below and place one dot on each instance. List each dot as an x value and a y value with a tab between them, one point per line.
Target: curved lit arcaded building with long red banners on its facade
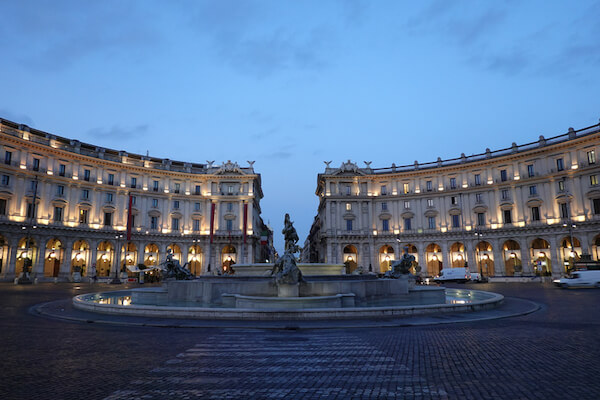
65	206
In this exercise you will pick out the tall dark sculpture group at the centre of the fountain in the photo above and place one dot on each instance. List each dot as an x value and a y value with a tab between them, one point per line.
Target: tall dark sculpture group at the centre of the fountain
285	270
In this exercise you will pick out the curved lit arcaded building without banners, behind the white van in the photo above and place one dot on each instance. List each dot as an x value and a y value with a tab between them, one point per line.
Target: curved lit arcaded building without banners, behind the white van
527	209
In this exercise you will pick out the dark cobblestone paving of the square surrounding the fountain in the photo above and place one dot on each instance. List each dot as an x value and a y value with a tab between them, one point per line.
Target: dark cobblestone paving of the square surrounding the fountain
551	354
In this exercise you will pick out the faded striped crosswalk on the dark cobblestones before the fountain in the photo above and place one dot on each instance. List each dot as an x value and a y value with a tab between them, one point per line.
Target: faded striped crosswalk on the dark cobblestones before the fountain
287	365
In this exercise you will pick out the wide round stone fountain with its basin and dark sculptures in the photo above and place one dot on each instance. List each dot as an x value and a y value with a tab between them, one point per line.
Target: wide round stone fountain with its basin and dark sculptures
290	291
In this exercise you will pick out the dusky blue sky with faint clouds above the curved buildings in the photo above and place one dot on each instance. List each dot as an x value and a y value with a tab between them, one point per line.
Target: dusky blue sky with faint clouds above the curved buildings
291	84
